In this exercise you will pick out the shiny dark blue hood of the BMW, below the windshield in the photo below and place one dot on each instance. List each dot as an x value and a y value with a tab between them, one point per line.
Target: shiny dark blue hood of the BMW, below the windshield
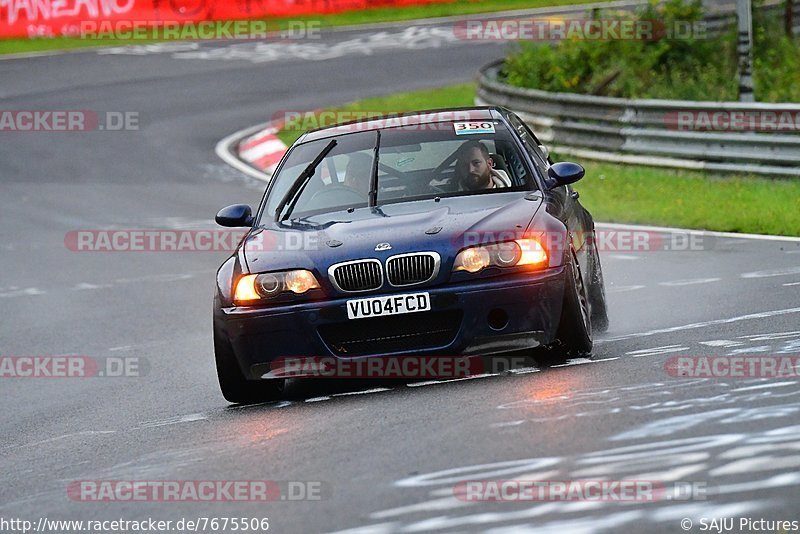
444	226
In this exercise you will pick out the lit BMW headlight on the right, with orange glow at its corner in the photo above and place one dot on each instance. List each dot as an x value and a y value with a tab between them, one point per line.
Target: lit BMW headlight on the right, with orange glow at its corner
506	254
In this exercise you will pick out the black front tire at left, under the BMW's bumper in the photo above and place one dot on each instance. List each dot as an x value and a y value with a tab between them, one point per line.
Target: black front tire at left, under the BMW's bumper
234	386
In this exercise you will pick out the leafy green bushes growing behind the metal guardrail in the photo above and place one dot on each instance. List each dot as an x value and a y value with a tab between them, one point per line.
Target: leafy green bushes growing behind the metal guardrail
696	68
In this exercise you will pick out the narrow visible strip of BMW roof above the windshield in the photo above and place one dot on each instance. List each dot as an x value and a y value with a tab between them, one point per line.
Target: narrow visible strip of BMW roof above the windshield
430	116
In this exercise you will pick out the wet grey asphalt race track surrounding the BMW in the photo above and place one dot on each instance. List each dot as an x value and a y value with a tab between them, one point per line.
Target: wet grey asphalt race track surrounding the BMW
388	460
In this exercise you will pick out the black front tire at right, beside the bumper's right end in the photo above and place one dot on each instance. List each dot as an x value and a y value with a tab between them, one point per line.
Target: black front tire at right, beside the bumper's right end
574	334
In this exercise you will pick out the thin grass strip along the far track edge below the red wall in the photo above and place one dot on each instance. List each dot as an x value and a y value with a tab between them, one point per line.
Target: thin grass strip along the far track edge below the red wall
346	18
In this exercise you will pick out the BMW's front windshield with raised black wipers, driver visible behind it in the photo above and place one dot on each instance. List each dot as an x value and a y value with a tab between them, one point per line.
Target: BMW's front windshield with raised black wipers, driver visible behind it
415	163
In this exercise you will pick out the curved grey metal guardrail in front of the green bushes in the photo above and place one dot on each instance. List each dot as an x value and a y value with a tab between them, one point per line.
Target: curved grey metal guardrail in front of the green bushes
648	131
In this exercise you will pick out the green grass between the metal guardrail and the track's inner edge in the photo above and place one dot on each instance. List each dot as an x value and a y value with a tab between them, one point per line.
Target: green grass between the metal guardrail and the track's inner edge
644	195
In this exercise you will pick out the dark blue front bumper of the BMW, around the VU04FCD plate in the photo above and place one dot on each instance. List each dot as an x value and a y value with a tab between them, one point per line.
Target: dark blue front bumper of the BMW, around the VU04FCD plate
481	317
